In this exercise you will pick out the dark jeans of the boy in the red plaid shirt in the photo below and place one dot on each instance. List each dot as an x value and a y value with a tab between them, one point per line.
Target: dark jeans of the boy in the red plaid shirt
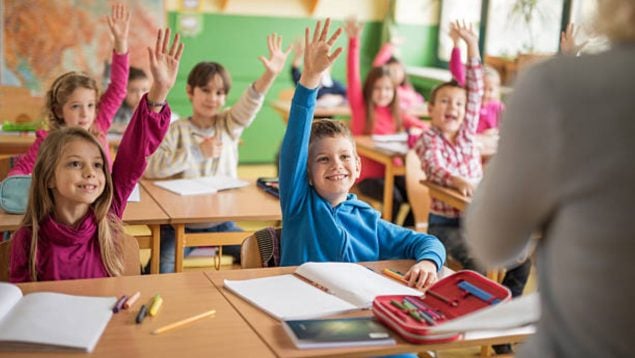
448	230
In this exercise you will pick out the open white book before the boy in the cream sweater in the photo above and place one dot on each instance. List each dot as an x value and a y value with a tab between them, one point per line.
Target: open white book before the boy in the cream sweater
199	186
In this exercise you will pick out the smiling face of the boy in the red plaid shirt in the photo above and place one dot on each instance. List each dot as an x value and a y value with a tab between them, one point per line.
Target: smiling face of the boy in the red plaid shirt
448	110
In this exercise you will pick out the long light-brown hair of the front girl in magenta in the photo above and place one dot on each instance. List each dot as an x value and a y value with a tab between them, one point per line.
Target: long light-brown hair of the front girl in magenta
42	204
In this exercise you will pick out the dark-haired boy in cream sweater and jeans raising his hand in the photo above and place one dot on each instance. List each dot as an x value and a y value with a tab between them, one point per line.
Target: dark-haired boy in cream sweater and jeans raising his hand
206	143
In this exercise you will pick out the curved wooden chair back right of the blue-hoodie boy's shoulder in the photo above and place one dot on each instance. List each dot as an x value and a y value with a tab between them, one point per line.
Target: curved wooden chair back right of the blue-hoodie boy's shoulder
418	195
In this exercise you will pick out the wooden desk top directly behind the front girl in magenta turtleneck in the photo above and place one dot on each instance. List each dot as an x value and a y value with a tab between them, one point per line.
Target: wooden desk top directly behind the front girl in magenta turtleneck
146	211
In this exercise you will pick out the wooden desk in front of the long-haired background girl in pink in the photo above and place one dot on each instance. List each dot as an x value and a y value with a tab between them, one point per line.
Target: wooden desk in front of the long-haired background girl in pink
366	148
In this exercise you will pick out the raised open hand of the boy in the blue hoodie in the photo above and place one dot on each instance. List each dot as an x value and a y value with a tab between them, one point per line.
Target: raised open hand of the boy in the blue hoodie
316	53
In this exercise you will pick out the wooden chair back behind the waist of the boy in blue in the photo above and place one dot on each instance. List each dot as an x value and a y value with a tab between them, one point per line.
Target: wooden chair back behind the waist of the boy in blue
262	249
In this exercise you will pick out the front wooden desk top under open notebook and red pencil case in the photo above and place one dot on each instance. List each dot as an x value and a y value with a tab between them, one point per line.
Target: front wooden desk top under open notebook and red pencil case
271	332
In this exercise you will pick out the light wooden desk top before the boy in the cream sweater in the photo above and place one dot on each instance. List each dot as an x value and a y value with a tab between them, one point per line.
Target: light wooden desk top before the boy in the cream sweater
243	204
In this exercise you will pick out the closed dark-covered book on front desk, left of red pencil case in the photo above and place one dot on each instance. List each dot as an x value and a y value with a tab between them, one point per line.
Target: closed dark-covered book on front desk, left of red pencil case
337	332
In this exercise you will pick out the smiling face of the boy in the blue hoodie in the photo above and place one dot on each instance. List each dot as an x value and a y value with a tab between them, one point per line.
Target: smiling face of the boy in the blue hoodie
333	167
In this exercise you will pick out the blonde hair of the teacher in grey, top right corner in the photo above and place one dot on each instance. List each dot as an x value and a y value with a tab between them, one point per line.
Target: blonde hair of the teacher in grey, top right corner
616	19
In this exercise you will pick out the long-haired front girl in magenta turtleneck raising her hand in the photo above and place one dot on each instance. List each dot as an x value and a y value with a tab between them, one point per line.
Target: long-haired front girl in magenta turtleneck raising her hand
72	226
